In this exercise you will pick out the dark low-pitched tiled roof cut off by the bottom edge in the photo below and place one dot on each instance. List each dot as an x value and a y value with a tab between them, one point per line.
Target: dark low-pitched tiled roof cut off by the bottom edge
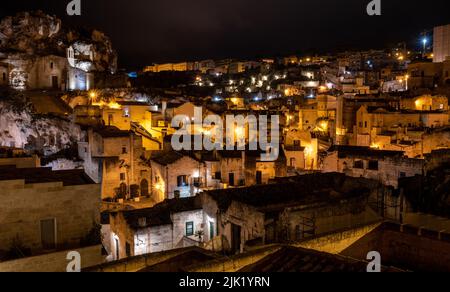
291	259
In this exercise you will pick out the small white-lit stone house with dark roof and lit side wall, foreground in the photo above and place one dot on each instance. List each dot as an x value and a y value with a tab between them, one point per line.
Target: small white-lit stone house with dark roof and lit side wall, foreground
172	224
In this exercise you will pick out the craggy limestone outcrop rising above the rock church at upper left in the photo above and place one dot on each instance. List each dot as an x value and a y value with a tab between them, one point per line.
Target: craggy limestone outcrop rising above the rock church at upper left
33	34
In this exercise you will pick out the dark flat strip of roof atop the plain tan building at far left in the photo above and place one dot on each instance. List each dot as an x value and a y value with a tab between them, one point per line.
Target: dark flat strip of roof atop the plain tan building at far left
45	175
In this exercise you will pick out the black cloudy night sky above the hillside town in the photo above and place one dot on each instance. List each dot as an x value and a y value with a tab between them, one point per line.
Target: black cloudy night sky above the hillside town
146	31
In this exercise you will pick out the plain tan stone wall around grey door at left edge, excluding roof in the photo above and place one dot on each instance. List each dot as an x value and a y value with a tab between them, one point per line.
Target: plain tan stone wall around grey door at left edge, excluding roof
75	209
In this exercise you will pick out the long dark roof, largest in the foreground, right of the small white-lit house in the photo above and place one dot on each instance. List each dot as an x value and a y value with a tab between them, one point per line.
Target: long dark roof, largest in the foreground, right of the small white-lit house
294	191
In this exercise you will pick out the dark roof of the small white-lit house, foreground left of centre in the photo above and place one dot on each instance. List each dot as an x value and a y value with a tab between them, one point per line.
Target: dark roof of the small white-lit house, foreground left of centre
159	215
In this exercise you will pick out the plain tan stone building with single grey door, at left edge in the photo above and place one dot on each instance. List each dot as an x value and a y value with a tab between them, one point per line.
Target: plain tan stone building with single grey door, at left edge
45	215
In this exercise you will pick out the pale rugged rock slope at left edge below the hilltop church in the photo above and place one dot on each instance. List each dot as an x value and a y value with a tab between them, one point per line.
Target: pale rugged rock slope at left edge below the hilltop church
20	127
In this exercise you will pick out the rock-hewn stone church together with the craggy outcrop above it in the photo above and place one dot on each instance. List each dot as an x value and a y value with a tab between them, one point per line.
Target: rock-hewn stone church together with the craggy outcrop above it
34	46
